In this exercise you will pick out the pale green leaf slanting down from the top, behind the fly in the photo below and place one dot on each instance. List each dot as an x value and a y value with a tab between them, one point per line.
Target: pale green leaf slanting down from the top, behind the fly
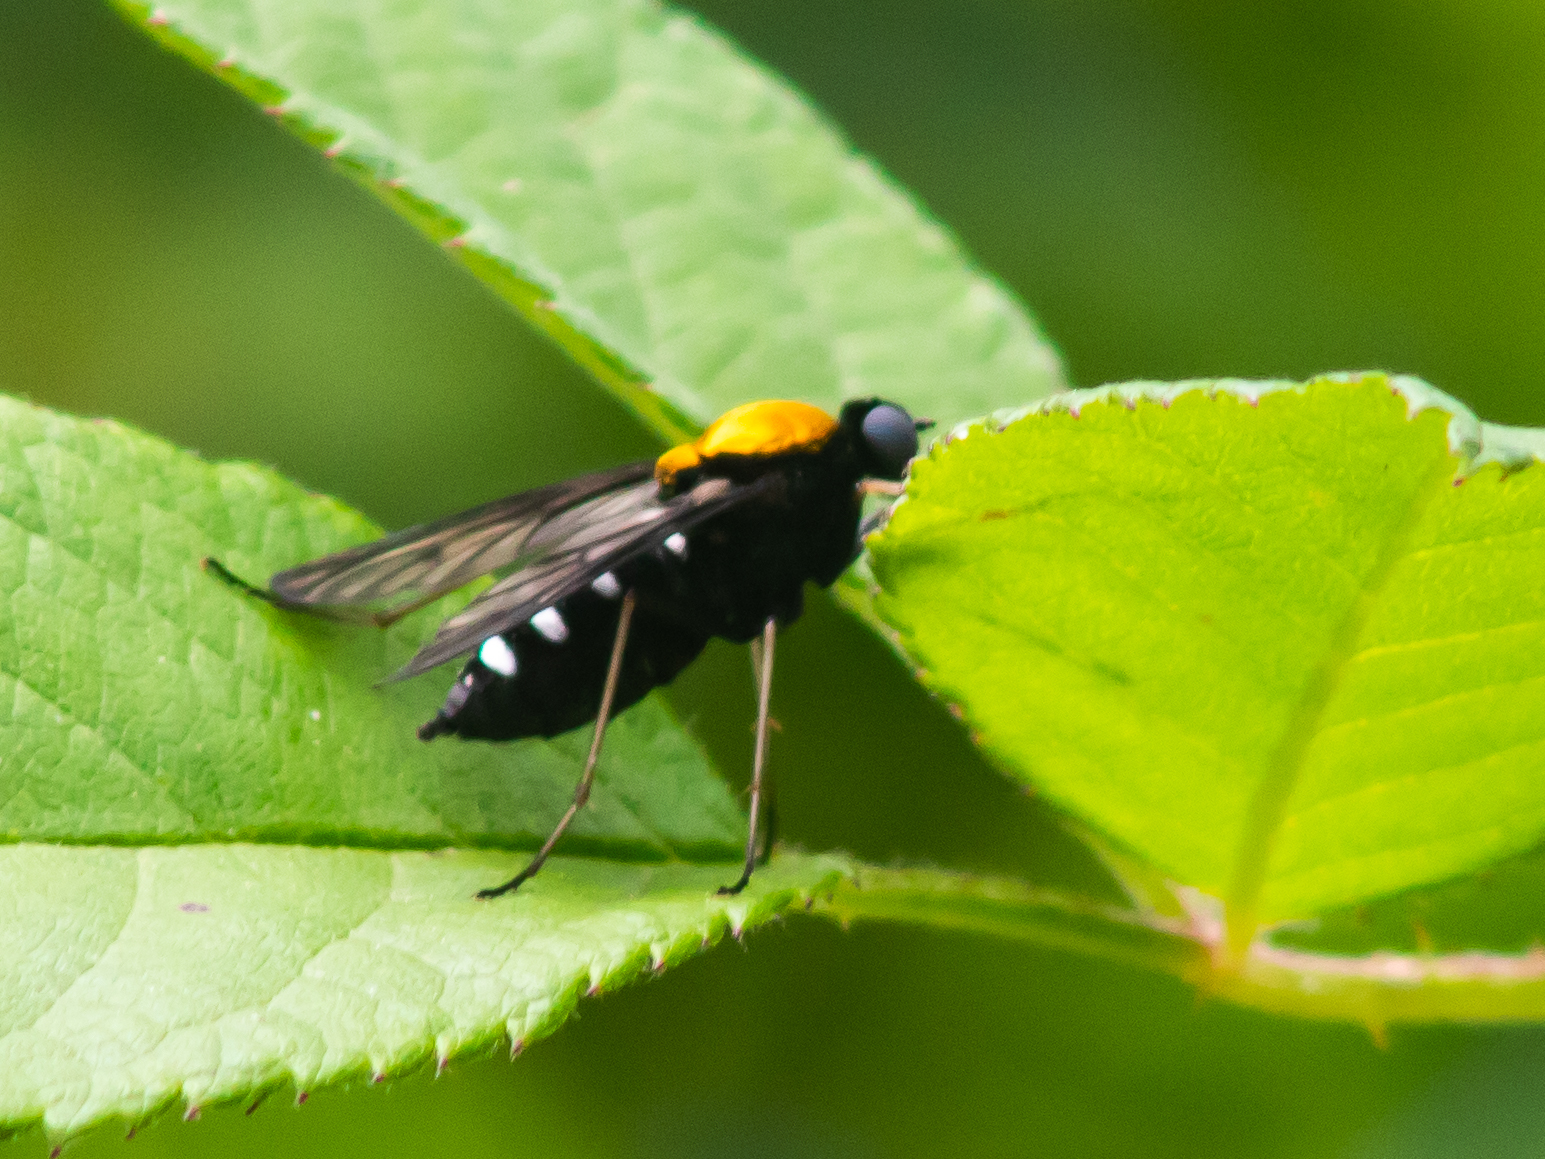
676	217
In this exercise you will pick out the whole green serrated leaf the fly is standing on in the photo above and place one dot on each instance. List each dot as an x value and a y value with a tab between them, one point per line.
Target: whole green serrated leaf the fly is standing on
154	705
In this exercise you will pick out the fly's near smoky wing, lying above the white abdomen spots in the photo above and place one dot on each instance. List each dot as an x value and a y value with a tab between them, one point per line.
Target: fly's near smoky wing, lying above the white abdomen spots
574	549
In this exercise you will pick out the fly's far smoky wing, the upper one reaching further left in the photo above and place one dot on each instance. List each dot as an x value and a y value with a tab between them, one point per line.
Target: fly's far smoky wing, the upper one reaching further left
440	557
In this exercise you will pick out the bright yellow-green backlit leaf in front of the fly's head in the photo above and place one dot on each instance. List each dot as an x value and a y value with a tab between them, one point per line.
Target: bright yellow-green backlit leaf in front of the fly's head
1254	633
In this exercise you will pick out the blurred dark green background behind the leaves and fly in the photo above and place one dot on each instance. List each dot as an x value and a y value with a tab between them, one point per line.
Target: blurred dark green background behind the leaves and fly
1177	189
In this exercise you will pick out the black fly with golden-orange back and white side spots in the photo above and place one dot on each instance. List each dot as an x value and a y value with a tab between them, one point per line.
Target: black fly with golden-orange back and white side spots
617	580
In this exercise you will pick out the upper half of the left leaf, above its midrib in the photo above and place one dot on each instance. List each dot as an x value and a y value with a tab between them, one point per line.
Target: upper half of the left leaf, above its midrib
152	702
